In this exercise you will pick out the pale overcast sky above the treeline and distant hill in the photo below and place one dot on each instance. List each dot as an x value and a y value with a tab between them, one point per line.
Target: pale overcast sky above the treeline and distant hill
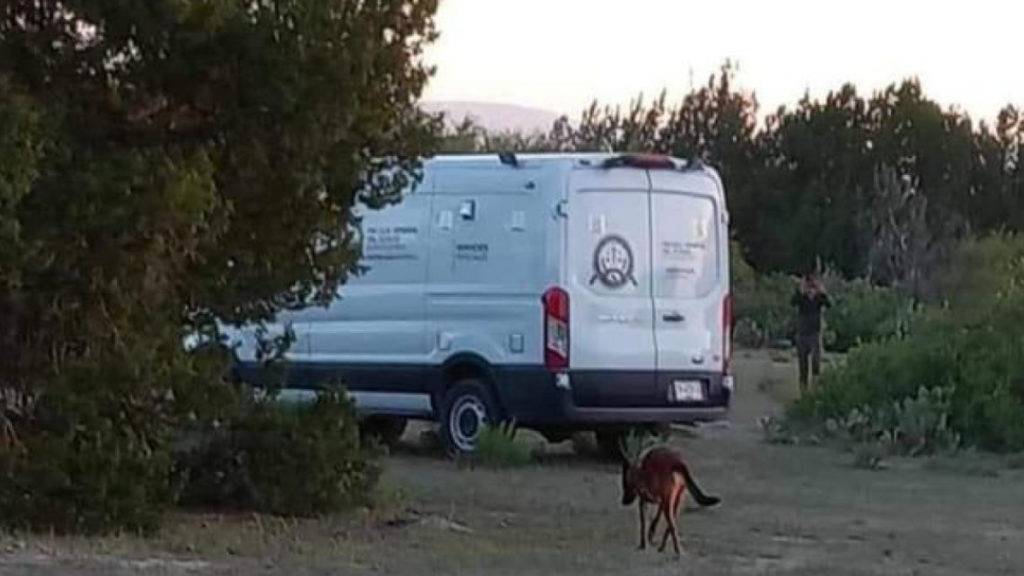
560	55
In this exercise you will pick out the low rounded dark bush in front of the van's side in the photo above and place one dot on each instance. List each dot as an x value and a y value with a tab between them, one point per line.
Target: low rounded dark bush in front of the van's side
290	460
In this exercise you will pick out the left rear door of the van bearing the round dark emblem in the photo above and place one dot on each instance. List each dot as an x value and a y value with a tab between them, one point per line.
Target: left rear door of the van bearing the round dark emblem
610	284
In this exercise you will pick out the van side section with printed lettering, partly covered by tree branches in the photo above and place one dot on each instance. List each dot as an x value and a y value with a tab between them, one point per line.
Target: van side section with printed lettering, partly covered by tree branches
372	338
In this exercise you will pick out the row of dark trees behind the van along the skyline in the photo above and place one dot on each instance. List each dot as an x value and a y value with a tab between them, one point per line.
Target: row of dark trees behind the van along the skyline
814	184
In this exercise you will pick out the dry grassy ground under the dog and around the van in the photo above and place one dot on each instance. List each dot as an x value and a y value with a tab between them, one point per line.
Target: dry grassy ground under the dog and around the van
788	511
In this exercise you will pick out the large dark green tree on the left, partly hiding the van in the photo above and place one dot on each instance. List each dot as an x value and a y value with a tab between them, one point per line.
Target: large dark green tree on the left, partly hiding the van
164	163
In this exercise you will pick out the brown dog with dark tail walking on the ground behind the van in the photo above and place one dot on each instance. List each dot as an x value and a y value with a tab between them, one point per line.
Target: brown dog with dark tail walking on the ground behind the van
660	477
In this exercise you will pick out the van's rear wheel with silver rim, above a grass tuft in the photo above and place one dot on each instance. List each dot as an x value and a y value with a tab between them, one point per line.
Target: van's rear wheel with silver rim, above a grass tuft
467	408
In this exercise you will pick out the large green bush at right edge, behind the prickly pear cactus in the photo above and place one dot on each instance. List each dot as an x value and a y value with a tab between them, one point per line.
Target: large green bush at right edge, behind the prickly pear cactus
970	350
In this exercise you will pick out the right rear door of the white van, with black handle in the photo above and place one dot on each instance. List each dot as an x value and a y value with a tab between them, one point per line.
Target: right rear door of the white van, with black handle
688	283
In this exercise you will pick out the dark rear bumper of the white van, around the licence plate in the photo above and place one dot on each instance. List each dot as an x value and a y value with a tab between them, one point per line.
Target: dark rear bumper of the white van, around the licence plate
539	398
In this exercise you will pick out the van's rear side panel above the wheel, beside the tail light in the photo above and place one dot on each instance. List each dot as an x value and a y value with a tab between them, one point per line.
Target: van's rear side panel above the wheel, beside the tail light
488	263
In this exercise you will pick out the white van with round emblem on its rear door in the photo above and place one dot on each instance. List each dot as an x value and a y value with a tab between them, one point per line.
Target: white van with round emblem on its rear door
568	292
